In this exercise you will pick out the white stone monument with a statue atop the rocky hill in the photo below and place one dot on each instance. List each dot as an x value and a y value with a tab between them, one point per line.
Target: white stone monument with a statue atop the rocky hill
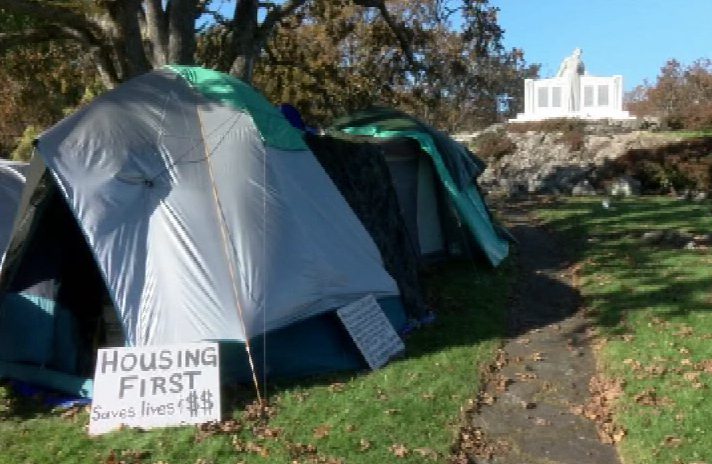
573	94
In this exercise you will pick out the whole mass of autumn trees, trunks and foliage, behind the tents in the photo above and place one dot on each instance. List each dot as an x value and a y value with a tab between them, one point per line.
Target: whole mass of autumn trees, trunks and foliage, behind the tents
439	59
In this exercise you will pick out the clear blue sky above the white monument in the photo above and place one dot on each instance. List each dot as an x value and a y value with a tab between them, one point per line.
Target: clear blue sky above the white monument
630	37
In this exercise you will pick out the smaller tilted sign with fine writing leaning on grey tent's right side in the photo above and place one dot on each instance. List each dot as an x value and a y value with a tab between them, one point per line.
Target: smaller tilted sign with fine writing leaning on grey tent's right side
373	333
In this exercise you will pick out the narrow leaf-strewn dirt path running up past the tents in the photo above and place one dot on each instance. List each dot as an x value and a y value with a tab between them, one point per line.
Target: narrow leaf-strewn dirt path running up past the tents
527	413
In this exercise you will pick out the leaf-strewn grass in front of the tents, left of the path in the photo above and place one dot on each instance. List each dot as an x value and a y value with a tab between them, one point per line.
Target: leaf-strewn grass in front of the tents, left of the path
409	410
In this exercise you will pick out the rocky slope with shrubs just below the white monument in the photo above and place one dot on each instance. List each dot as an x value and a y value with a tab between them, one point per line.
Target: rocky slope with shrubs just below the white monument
573	157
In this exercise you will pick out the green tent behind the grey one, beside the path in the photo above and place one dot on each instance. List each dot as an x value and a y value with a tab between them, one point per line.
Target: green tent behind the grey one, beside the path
435	159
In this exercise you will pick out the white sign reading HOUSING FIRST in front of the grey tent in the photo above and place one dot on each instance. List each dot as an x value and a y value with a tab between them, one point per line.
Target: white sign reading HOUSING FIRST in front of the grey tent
155	386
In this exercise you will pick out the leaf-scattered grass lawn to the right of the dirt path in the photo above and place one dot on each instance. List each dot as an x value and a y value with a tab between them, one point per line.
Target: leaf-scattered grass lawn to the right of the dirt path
652	301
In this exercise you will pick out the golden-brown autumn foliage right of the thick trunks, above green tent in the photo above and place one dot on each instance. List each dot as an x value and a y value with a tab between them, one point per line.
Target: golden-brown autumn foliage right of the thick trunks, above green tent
332	59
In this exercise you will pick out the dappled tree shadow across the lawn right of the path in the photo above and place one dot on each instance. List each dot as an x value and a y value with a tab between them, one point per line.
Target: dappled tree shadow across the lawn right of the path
632	274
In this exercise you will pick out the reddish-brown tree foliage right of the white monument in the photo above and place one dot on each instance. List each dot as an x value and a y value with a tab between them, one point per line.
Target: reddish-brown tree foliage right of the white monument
681	96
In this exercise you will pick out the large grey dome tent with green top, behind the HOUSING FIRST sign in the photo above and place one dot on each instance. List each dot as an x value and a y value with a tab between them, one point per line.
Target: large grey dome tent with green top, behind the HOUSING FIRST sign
185	202
